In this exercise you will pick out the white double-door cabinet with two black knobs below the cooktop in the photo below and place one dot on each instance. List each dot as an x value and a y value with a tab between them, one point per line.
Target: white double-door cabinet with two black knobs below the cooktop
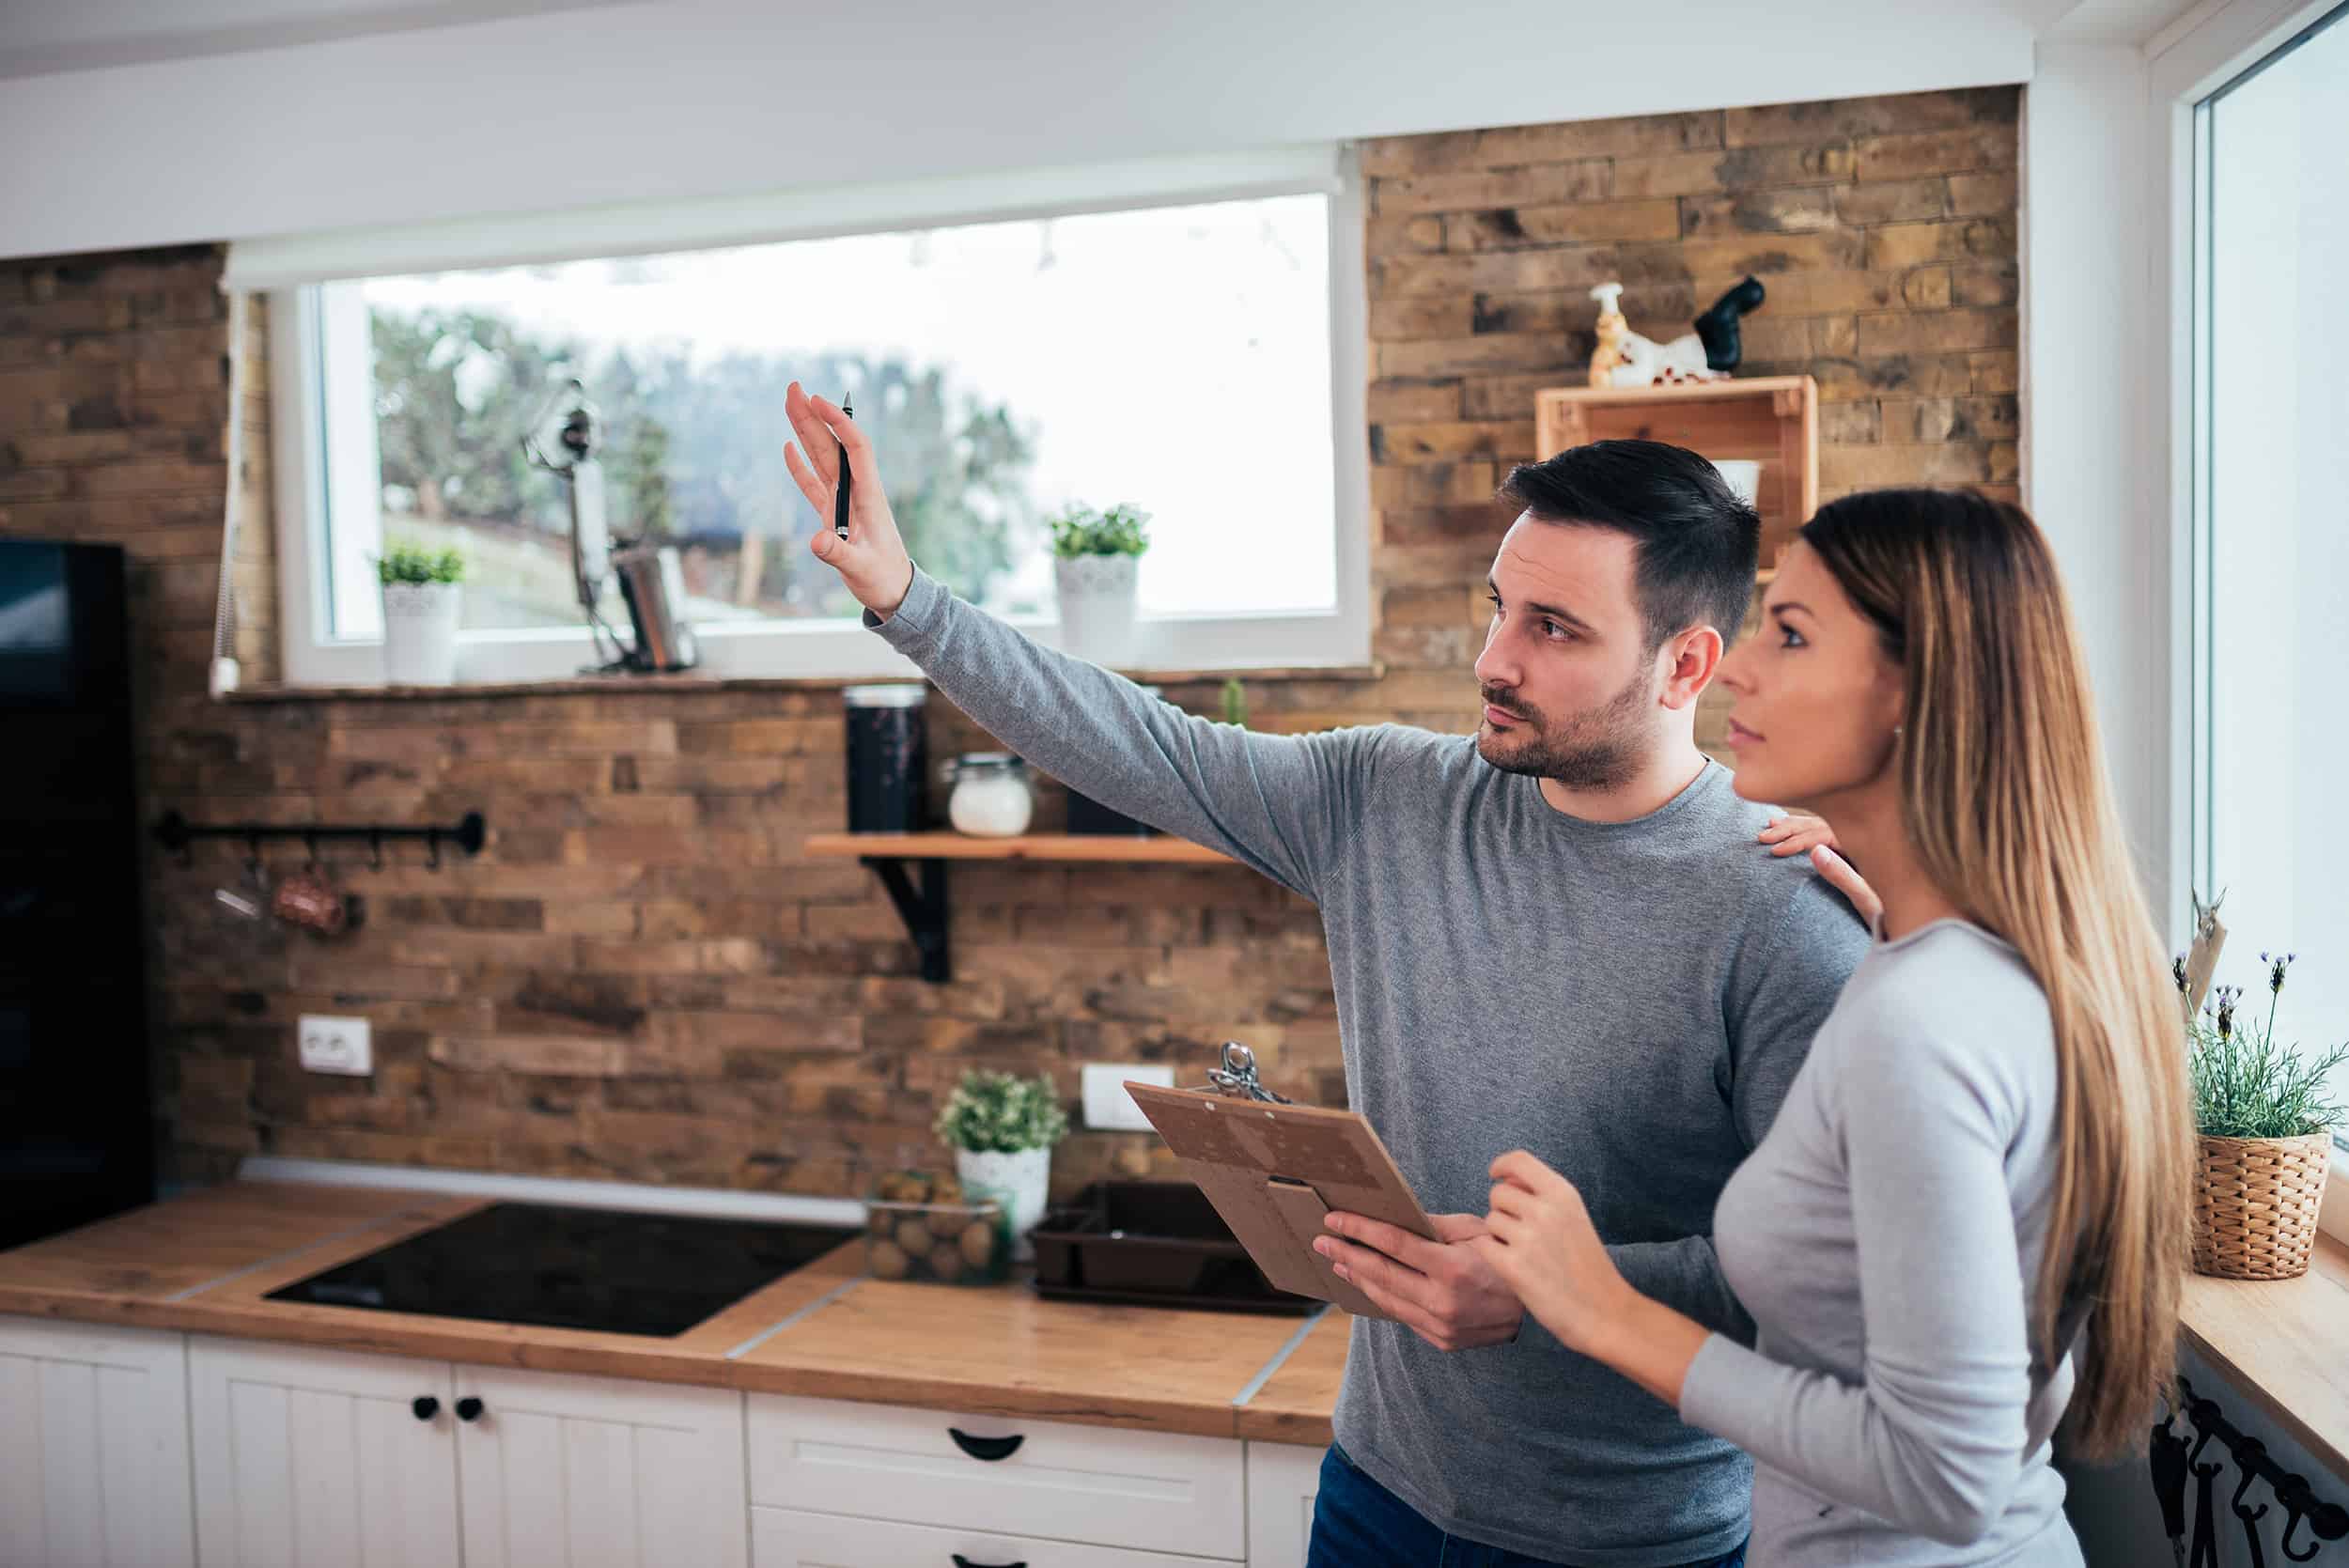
325	1459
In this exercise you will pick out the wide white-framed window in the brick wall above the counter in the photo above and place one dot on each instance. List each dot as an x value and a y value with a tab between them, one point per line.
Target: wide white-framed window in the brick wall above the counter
1185	337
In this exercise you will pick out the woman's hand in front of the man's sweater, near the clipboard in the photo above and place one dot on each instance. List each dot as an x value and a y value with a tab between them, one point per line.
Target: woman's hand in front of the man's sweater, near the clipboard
1542	1243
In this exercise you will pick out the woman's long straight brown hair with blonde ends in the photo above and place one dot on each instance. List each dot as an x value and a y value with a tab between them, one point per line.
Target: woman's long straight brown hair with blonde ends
2010	806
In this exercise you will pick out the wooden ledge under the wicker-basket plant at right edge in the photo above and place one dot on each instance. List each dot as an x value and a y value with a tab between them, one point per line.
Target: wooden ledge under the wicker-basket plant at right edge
2287	1344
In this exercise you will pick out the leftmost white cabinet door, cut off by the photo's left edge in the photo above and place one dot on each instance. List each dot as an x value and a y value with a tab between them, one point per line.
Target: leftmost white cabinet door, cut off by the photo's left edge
93	1447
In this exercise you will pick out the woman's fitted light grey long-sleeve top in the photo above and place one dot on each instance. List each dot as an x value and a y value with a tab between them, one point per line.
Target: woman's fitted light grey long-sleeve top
1887	1241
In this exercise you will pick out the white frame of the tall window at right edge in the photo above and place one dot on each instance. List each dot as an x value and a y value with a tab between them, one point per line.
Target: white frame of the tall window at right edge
2186	65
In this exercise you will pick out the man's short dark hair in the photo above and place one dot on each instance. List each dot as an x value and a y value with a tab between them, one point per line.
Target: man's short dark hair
1697	543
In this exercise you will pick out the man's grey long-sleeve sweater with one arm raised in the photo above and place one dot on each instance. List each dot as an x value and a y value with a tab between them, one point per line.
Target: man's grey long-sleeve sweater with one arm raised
1629	1001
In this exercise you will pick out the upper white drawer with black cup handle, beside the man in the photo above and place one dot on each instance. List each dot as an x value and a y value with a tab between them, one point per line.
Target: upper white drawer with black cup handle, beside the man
1018	1478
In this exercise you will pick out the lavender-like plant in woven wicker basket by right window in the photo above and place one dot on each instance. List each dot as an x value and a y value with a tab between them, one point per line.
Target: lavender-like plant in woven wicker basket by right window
2266	1135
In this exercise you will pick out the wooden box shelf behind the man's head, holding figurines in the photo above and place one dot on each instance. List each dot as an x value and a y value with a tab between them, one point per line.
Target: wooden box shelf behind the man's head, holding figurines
1770	421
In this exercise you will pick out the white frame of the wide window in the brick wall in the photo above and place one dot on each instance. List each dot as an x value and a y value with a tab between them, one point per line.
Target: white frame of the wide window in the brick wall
325	450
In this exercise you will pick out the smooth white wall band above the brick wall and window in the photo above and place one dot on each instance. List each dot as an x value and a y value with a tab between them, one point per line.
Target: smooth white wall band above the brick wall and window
725	97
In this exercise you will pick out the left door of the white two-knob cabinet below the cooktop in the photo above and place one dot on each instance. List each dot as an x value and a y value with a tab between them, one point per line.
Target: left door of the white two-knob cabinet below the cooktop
321	1459
